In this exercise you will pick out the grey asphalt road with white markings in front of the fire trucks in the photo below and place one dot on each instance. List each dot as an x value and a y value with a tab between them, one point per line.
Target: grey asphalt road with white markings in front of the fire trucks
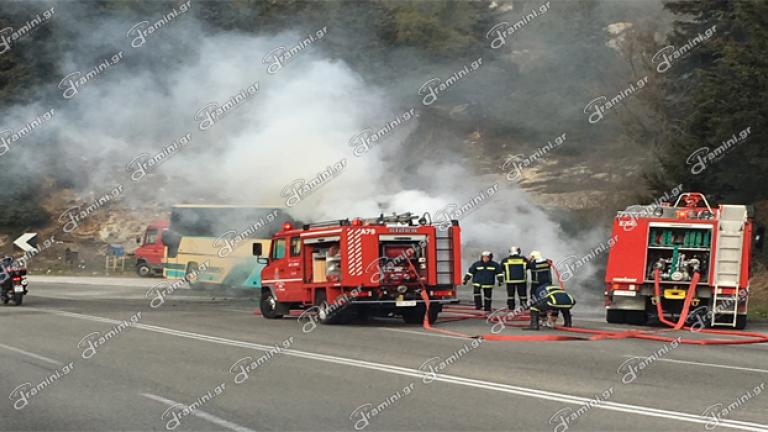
197	363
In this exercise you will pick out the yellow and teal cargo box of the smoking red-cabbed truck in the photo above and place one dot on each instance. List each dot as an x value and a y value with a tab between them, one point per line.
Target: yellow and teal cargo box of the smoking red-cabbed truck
219	245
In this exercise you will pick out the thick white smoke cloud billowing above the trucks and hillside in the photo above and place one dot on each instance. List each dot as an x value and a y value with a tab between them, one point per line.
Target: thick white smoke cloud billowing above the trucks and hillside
293	125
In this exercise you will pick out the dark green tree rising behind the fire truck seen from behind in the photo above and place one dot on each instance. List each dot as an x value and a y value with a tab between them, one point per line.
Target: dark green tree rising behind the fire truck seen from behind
716	91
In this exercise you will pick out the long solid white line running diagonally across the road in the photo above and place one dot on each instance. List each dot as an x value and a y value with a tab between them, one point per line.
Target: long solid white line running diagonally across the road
450	379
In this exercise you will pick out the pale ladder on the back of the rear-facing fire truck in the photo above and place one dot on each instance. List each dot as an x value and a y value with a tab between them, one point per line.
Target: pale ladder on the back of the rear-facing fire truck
728	253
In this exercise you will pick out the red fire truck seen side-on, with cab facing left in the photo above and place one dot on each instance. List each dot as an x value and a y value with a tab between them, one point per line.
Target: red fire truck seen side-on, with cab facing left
376	266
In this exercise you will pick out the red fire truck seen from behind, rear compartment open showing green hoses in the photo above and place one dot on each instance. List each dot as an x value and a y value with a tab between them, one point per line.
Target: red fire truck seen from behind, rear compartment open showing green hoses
673	246
